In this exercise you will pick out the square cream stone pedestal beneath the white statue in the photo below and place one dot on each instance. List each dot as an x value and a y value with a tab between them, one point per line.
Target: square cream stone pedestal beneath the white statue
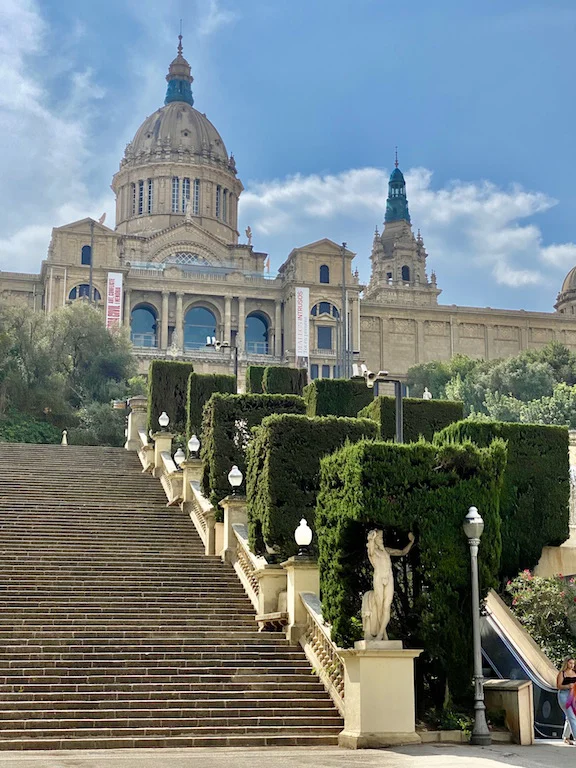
379	695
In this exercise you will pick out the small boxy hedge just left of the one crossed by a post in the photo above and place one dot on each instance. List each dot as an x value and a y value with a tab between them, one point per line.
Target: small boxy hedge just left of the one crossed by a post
337	397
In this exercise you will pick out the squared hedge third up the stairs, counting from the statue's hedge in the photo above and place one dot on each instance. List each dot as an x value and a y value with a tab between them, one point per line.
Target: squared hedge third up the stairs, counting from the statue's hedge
226	430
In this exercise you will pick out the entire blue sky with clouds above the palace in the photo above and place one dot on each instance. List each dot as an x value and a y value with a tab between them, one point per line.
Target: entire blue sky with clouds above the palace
312	96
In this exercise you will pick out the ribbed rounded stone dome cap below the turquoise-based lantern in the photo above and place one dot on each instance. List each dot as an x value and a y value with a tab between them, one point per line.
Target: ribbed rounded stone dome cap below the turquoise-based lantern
177	127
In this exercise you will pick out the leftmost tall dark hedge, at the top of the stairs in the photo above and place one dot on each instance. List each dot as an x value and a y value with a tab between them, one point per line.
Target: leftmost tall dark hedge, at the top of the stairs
167	391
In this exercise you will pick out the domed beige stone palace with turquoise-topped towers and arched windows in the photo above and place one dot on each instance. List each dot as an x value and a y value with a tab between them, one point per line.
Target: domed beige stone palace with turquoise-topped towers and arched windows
186	276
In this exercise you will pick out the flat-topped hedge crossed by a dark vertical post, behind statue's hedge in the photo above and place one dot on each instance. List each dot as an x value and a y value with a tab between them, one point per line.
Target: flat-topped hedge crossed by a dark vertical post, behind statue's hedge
421	417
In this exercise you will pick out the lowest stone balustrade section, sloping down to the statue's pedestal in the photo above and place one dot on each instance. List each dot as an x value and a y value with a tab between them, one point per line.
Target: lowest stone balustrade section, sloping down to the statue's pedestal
321	652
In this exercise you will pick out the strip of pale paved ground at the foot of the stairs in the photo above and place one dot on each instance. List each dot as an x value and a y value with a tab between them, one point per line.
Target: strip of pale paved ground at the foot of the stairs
544	755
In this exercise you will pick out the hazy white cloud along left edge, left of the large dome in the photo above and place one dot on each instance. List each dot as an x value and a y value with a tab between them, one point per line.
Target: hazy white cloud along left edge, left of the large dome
46	147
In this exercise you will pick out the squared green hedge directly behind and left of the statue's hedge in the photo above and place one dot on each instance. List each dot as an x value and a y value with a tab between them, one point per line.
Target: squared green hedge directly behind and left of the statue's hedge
283	475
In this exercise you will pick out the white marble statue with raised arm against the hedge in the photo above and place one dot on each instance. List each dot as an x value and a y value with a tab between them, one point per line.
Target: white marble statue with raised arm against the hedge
377	602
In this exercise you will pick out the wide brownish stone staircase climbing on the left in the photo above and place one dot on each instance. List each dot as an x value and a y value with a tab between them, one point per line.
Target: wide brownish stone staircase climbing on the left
117	631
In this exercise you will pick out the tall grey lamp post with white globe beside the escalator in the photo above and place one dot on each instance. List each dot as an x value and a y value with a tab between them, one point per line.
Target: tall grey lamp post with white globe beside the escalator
473	527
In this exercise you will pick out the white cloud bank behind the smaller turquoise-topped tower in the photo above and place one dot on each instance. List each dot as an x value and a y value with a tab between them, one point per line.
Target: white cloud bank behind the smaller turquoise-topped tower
478	223
